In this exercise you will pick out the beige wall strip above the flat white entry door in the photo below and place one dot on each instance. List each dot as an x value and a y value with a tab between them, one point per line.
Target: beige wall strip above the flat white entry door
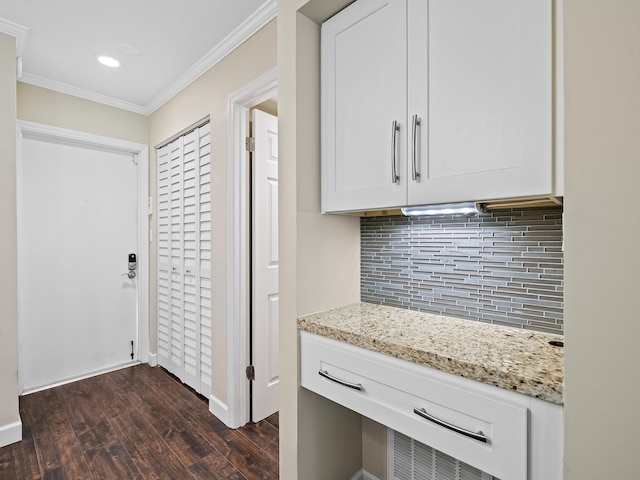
45	106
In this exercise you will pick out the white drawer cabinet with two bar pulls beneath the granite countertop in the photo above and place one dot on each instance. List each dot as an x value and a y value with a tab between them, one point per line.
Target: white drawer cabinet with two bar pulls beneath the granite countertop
503	433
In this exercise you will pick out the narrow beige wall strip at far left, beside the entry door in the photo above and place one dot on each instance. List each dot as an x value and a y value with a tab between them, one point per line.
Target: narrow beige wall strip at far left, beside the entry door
8	242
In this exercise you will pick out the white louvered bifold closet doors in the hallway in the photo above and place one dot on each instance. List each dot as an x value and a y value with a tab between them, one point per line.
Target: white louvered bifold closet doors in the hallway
184	259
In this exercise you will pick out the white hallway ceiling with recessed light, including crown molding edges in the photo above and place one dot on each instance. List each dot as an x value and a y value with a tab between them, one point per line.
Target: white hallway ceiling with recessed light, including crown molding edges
162	45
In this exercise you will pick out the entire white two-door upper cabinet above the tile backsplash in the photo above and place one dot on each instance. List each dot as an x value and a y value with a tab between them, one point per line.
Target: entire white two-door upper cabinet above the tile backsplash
468	84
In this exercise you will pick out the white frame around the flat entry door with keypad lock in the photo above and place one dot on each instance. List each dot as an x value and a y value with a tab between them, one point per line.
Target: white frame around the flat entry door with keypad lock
140	154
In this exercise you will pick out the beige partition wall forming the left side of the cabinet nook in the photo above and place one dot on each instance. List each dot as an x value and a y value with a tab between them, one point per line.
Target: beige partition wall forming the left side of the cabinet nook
319	258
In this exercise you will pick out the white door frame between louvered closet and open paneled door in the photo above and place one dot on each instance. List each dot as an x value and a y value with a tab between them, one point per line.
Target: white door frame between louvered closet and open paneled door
236	411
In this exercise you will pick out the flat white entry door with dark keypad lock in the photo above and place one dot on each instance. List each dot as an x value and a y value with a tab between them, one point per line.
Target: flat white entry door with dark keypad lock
78	214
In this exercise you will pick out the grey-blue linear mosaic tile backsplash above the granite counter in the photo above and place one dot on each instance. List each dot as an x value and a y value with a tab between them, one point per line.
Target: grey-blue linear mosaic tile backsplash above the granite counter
503	267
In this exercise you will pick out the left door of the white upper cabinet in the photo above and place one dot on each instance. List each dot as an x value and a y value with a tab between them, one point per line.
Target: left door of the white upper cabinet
363	93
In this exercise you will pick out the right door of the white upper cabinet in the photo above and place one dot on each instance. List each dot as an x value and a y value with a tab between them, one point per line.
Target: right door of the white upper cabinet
480	82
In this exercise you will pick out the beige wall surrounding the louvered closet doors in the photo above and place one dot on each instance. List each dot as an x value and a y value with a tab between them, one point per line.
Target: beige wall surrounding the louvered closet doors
208	96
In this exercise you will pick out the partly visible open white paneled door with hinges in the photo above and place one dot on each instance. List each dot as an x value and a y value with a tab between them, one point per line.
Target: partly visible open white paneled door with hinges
264	317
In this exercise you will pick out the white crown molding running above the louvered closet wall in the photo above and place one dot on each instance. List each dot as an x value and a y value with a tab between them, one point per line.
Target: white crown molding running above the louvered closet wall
259	19
